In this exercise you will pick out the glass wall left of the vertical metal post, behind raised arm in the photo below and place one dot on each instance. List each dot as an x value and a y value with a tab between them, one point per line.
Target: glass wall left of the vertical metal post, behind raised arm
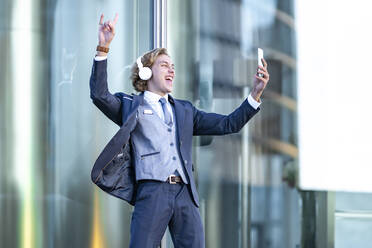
53	132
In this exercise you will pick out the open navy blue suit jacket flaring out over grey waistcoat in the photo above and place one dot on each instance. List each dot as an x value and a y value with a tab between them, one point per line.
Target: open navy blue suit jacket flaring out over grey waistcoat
113	170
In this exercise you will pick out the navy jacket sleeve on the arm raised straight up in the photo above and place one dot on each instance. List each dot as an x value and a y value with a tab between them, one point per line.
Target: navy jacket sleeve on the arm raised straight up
108	103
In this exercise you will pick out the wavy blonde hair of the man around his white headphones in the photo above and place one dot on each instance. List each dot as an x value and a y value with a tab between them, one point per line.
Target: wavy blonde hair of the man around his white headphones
147	60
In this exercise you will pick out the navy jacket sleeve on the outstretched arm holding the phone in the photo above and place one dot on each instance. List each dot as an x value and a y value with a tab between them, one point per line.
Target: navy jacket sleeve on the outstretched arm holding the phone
217	124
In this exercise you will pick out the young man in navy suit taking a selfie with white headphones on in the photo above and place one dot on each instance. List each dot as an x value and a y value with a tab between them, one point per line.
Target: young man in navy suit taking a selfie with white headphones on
148	162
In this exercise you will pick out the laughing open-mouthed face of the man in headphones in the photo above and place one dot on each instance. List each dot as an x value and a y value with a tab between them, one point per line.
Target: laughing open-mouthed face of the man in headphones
163	74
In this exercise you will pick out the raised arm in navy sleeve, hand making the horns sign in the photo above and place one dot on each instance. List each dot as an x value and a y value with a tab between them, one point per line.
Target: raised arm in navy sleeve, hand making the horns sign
108	103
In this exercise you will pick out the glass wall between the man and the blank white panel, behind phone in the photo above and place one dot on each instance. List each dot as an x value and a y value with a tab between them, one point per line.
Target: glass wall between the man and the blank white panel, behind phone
244	200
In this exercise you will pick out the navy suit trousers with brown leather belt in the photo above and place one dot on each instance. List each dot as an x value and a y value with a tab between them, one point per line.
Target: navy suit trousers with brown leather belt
160	204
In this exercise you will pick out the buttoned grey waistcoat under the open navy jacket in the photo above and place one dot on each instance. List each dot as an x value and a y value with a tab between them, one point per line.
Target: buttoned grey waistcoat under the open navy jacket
154	147
